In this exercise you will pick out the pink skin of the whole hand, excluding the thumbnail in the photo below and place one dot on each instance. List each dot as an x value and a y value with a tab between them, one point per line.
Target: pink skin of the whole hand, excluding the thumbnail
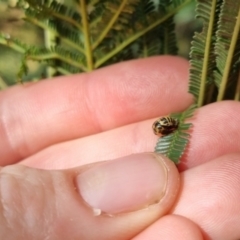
56	124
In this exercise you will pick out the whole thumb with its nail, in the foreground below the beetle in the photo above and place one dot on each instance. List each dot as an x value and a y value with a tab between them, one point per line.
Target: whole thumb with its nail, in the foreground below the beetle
108	200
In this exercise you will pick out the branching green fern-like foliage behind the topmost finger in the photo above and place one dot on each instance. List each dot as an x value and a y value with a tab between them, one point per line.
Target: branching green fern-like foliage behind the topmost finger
95	33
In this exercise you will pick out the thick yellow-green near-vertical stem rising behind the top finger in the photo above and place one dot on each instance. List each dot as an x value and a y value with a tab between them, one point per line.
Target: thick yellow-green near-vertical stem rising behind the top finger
86	33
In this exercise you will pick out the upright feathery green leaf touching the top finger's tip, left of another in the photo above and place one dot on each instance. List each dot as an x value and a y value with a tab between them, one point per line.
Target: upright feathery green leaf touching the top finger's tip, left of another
202	63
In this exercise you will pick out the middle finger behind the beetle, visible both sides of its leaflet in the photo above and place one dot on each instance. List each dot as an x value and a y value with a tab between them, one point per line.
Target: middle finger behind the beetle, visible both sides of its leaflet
214	133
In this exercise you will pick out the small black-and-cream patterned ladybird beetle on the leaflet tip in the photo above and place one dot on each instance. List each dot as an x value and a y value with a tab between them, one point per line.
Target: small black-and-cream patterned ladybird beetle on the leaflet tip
164	126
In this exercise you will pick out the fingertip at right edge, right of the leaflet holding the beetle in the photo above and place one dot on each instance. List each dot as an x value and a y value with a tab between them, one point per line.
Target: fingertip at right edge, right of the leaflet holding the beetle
215	132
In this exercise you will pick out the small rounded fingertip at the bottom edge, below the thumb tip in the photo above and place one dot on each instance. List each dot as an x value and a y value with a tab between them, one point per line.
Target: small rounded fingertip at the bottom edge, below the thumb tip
171	227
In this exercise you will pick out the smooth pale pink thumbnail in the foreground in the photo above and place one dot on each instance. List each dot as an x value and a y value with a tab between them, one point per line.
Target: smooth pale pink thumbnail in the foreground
124	184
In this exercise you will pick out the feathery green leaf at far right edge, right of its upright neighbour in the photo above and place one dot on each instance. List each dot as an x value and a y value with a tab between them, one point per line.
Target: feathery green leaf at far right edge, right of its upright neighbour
227	46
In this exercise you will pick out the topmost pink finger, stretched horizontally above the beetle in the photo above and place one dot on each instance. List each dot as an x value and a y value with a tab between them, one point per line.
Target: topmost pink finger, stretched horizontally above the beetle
35	116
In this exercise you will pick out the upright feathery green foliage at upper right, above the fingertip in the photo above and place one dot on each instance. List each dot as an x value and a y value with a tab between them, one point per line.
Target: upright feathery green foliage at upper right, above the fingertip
215	53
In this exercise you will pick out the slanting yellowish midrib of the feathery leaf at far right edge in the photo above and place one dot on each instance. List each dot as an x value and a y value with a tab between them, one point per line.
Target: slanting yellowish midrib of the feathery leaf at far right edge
229	59
